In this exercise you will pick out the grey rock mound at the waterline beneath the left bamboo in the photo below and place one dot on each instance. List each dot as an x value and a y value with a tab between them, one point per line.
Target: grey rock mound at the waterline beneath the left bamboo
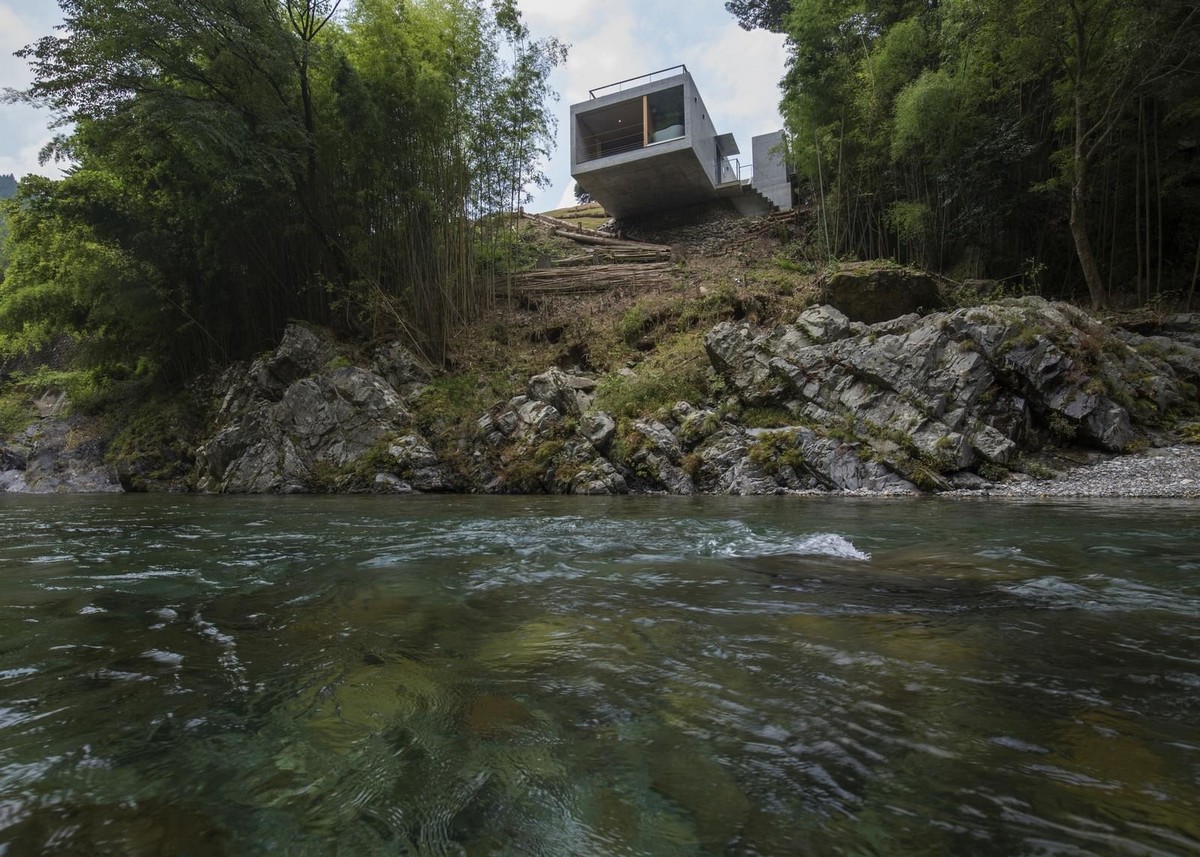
298	422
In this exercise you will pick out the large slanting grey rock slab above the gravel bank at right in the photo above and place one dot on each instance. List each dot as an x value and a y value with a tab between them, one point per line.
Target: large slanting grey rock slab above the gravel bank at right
958	391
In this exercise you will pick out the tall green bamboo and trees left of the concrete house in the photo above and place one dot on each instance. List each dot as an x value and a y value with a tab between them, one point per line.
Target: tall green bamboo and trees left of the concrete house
238	164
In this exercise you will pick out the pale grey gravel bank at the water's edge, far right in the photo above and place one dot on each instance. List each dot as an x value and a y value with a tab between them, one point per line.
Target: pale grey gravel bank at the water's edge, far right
1168	472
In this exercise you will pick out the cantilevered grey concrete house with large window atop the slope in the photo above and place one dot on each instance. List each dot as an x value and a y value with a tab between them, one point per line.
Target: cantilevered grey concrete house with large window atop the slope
650	143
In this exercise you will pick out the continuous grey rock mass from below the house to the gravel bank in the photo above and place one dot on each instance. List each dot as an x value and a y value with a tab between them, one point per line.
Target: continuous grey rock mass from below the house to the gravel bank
911	404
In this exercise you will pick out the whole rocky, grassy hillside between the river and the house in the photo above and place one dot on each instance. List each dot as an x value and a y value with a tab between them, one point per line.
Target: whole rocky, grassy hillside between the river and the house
724	362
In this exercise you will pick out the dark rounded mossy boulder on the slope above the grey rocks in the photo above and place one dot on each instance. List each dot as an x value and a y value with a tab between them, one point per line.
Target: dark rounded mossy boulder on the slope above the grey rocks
873	293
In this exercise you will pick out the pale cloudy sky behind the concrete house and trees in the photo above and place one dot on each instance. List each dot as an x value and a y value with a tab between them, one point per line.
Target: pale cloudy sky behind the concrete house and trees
737	73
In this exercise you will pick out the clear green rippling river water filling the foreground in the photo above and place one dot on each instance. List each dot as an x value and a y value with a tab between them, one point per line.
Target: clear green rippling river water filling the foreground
634	676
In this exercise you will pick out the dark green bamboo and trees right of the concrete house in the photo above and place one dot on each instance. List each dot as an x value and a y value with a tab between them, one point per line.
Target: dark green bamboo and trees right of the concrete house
1053	142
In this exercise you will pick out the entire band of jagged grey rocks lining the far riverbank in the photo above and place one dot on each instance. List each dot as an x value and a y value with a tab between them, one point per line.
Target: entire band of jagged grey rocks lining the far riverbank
949	400
